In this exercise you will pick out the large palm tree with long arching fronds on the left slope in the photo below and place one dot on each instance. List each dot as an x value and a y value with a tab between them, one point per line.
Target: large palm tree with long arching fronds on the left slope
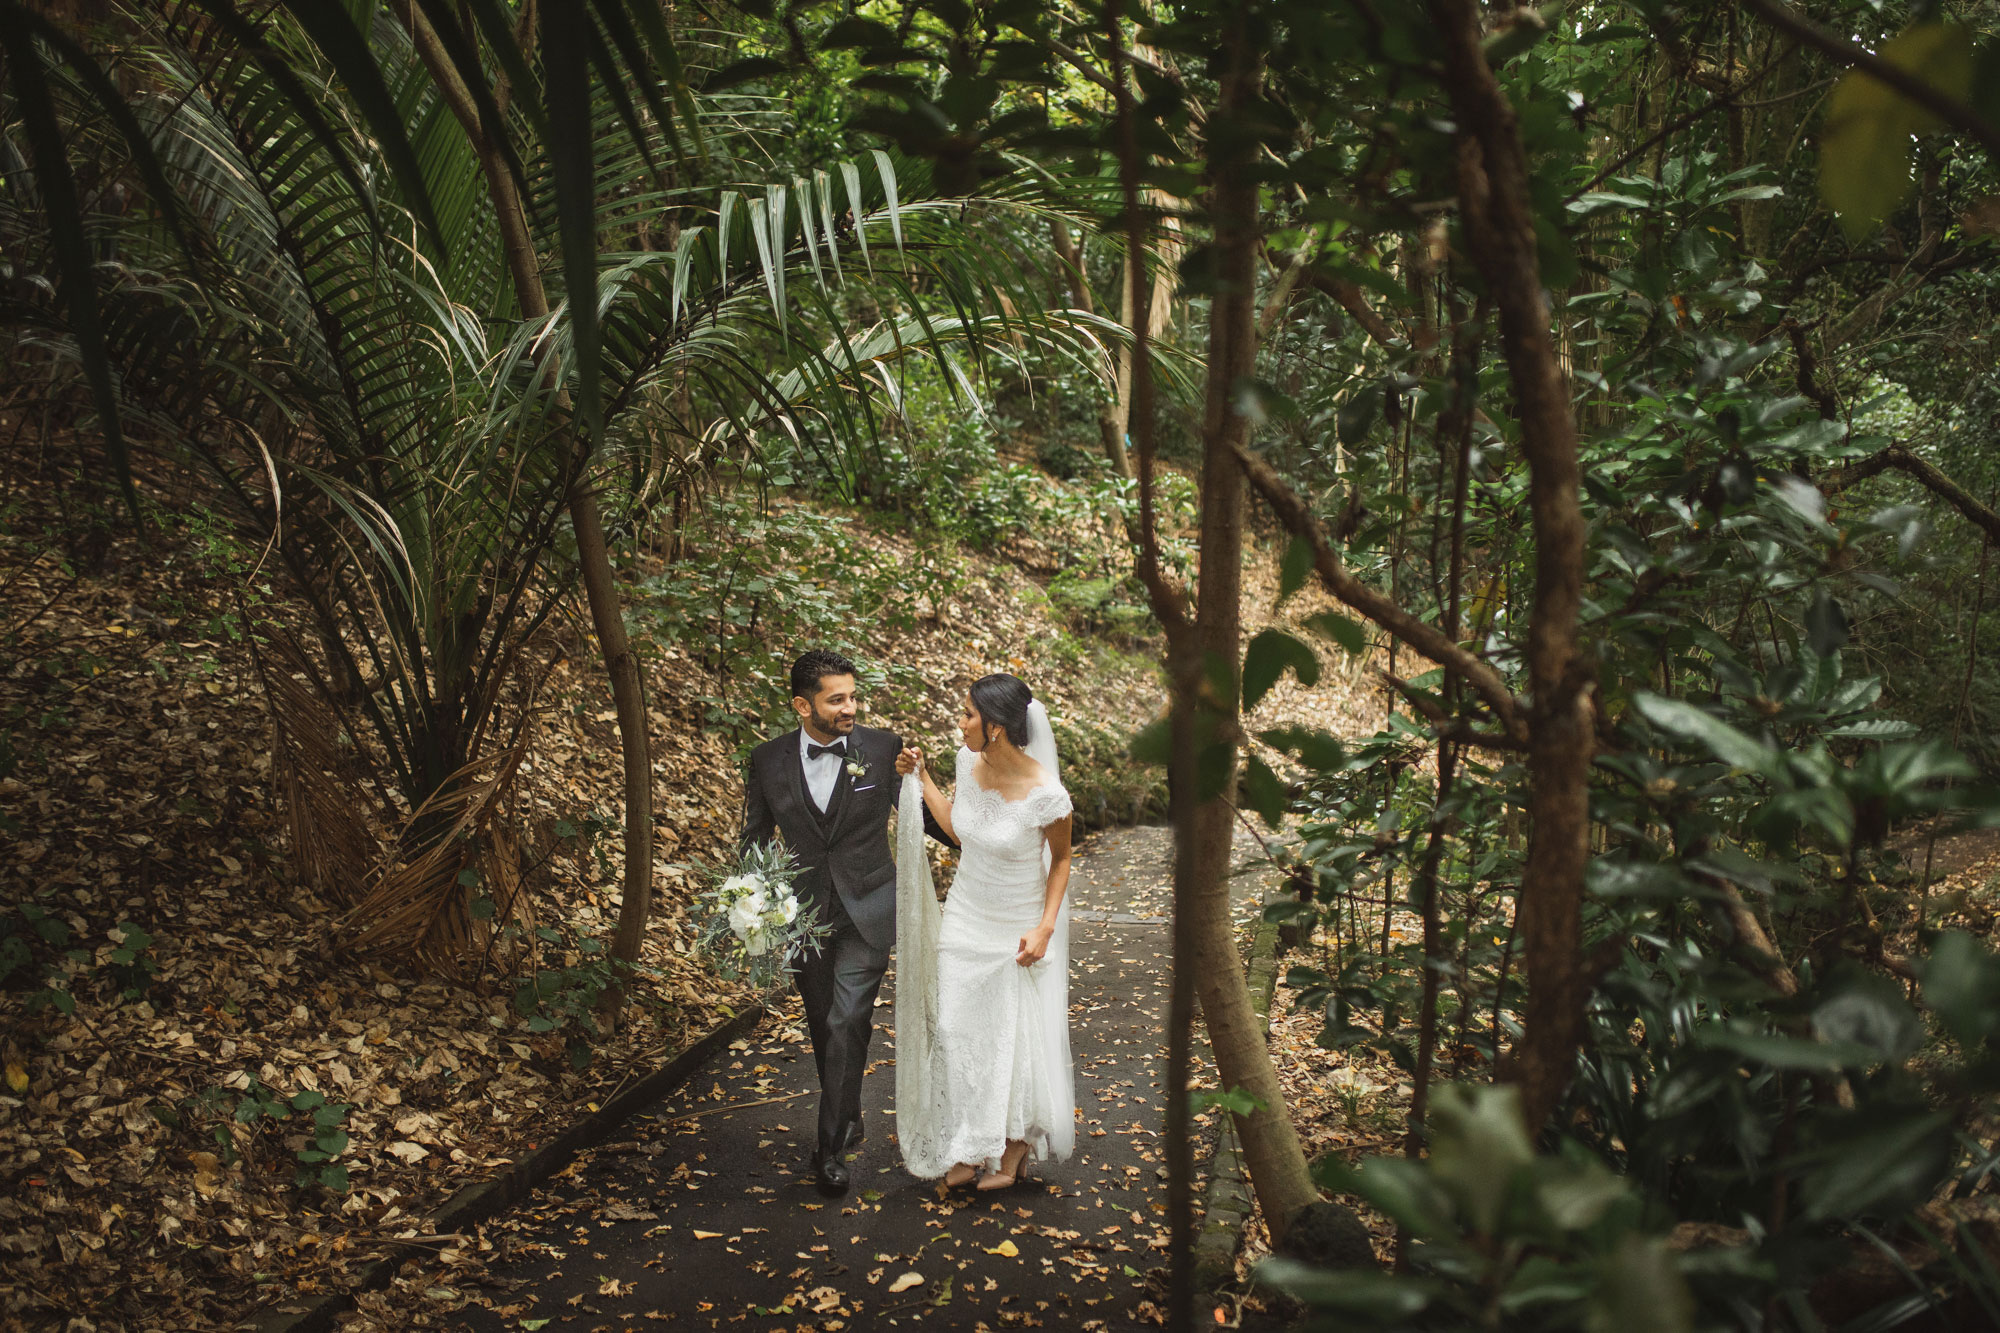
333	307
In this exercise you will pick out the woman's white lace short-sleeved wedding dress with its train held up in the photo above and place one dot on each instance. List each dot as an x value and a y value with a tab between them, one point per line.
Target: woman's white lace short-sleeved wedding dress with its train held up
983	1044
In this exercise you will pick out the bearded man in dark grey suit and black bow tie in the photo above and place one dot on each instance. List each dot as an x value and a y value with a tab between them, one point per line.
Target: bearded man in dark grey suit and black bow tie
829	790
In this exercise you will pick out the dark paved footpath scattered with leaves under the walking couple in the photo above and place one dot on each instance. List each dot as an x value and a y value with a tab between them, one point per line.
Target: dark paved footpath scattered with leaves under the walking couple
705	1218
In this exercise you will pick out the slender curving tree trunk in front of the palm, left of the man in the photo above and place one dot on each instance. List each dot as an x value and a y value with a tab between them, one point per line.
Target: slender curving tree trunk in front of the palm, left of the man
593	553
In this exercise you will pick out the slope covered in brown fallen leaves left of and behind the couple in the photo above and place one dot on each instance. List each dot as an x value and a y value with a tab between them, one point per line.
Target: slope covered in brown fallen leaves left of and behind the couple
213	1098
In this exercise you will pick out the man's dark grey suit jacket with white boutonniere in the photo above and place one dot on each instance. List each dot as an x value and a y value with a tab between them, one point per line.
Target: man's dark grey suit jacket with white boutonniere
849	852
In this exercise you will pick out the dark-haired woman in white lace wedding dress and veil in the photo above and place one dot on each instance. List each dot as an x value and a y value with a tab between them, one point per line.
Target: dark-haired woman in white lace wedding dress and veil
983	988
